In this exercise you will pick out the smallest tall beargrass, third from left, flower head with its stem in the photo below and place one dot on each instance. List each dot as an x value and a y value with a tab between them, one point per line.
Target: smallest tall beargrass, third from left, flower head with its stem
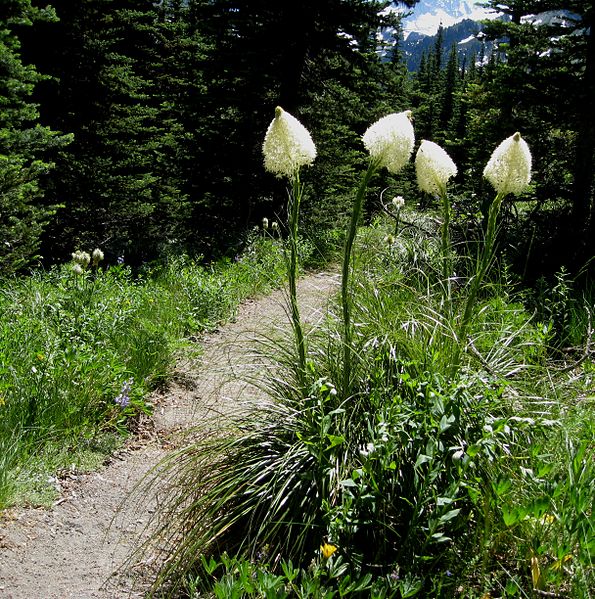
434	167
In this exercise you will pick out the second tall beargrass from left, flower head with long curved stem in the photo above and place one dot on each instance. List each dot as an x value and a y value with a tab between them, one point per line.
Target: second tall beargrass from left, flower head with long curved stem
389	142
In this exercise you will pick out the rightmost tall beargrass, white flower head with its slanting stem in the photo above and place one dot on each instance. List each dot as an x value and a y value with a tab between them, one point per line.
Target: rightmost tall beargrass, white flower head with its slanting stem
509	171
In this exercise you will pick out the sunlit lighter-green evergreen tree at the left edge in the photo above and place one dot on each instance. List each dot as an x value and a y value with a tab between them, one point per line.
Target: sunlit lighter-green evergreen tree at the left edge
25	145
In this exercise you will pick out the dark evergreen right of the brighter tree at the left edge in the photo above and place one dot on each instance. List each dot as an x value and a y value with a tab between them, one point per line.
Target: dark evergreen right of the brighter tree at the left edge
119	180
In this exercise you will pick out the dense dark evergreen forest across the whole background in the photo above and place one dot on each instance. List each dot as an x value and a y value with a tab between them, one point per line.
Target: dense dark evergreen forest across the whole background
134	126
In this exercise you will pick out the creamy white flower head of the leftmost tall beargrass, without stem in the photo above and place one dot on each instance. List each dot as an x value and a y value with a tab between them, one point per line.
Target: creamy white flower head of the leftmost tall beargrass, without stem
287	145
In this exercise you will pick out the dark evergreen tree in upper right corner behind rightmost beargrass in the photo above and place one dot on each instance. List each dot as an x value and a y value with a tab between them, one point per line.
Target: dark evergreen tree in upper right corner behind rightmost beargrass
546	88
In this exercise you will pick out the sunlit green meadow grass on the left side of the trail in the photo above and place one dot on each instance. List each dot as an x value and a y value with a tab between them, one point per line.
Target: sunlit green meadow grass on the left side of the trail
80	352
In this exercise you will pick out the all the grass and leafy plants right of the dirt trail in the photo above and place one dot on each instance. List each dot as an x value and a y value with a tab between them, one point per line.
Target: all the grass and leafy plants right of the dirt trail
447	467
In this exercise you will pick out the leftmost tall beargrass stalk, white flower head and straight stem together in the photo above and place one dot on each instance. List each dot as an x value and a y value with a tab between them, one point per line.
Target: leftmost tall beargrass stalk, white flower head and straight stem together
286	148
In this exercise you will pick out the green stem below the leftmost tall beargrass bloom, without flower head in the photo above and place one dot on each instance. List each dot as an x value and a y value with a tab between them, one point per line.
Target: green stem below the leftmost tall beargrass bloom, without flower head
294	210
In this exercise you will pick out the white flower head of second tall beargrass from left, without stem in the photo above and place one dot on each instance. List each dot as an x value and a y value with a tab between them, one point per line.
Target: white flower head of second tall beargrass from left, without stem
390	140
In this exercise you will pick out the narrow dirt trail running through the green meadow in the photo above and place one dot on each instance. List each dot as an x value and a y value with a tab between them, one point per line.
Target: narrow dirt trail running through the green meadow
71	551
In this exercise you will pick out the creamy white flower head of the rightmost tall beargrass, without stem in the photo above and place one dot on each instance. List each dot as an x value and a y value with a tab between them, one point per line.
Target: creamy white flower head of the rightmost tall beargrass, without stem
509	168
